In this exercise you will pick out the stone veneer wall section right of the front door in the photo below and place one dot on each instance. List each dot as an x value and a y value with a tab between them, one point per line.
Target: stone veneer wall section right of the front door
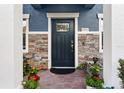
88	47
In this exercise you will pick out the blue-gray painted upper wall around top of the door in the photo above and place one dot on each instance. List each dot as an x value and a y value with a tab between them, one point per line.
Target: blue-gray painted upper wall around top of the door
39	22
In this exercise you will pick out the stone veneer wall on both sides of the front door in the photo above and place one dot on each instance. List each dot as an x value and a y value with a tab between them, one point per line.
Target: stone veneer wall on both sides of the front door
88	47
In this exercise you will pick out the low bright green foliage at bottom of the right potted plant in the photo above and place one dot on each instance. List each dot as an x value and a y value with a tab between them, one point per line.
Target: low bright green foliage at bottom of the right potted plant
95	82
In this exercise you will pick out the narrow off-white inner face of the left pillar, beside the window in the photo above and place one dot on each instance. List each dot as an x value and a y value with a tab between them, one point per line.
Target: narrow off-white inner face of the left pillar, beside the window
18	48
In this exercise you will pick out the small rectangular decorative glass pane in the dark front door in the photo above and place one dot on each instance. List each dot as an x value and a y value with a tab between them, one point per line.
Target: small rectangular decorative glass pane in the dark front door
62	27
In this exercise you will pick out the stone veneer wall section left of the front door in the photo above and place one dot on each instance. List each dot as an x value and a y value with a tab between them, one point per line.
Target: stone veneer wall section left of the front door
38	48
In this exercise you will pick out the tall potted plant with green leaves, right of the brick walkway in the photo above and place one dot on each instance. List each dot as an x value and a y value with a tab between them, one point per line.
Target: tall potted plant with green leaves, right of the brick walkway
93	79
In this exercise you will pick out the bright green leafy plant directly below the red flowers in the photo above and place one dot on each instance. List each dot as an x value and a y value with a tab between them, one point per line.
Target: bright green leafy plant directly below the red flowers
30	84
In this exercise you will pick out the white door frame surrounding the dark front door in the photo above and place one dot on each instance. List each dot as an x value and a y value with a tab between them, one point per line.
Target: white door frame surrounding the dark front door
62	15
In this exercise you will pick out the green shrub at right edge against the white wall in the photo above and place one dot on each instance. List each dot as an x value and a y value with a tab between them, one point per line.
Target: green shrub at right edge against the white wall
121	71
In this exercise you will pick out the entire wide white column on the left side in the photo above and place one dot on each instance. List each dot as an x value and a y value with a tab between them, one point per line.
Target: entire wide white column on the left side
10	46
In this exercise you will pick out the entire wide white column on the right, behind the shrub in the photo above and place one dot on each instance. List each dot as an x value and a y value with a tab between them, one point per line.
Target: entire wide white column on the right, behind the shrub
113	43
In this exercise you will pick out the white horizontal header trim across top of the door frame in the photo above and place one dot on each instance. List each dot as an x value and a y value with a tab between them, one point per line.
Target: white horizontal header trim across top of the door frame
62	15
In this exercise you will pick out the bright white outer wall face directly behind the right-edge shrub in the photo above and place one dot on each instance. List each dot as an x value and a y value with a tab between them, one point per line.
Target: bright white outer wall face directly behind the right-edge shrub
117	41
